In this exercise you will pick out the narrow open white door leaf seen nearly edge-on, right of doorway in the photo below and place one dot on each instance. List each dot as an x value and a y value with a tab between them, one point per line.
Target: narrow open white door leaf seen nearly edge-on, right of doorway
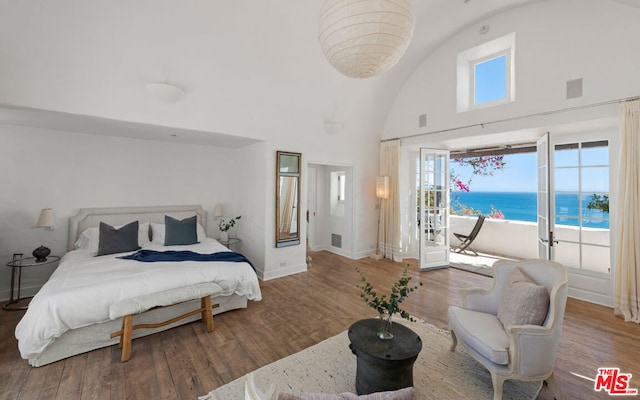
544	246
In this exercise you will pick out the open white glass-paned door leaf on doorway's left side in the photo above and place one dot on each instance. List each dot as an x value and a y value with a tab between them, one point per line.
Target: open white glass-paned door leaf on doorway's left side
433	208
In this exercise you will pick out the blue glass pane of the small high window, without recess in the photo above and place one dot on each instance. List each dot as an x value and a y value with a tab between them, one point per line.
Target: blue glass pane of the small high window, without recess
490	80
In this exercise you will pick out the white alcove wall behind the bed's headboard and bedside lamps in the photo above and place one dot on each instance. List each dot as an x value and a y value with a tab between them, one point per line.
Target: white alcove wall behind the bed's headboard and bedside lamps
67	171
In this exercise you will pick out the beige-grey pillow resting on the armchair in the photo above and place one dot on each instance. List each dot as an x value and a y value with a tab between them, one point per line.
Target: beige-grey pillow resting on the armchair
524	302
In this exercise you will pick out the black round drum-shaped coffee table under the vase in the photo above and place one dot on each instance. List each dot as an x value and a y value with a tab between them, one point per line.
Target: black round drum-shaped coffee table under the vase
383	365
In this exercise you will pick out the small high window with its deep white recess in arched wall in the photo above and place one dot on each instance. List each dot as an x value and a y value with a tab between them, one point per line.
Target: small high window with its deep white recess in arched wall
486	74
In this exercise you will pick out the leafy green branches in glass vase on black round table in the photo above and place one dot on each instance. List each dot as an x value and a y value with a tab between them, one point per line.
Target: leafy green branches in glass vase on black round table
387	305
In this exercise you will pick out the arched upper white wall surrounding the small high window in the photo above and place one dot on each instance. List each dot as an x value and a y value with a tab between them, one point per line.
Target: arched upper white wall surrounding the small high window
556	41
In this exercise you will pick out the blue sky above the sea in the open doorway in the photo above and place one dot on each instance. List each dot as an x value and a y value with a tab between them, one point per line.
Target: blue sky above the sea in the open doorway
519	175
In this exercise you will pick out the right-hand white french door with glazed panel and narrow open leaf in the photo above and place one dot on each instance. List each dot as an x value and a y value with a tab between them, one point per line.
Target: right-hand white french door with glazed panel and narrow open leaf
573	211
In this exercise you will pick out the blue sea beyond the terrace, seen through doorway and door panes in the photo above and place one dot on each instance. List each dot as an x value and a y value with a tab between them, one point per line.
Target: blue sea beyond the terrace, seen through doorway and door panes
522	206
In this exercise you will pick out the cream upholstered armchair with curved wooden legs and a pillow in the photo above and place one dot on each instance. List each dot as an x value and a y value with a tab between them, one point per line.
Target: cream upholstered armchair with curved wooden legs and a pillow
513	329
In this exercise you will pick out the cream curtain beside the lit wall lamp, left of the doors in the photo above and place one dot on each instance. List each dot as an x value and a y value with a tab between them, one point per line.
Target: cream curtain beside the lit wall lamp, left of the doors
389	229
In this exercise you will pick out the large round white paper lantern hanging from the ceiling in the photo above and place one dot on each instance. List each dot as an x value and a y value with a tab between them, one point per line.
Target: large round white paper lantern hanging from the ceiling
365	38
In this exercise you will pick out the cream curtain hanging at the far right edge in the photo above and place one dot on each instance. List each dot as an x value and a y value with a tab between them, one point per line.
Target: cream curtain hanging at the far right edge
627	264
